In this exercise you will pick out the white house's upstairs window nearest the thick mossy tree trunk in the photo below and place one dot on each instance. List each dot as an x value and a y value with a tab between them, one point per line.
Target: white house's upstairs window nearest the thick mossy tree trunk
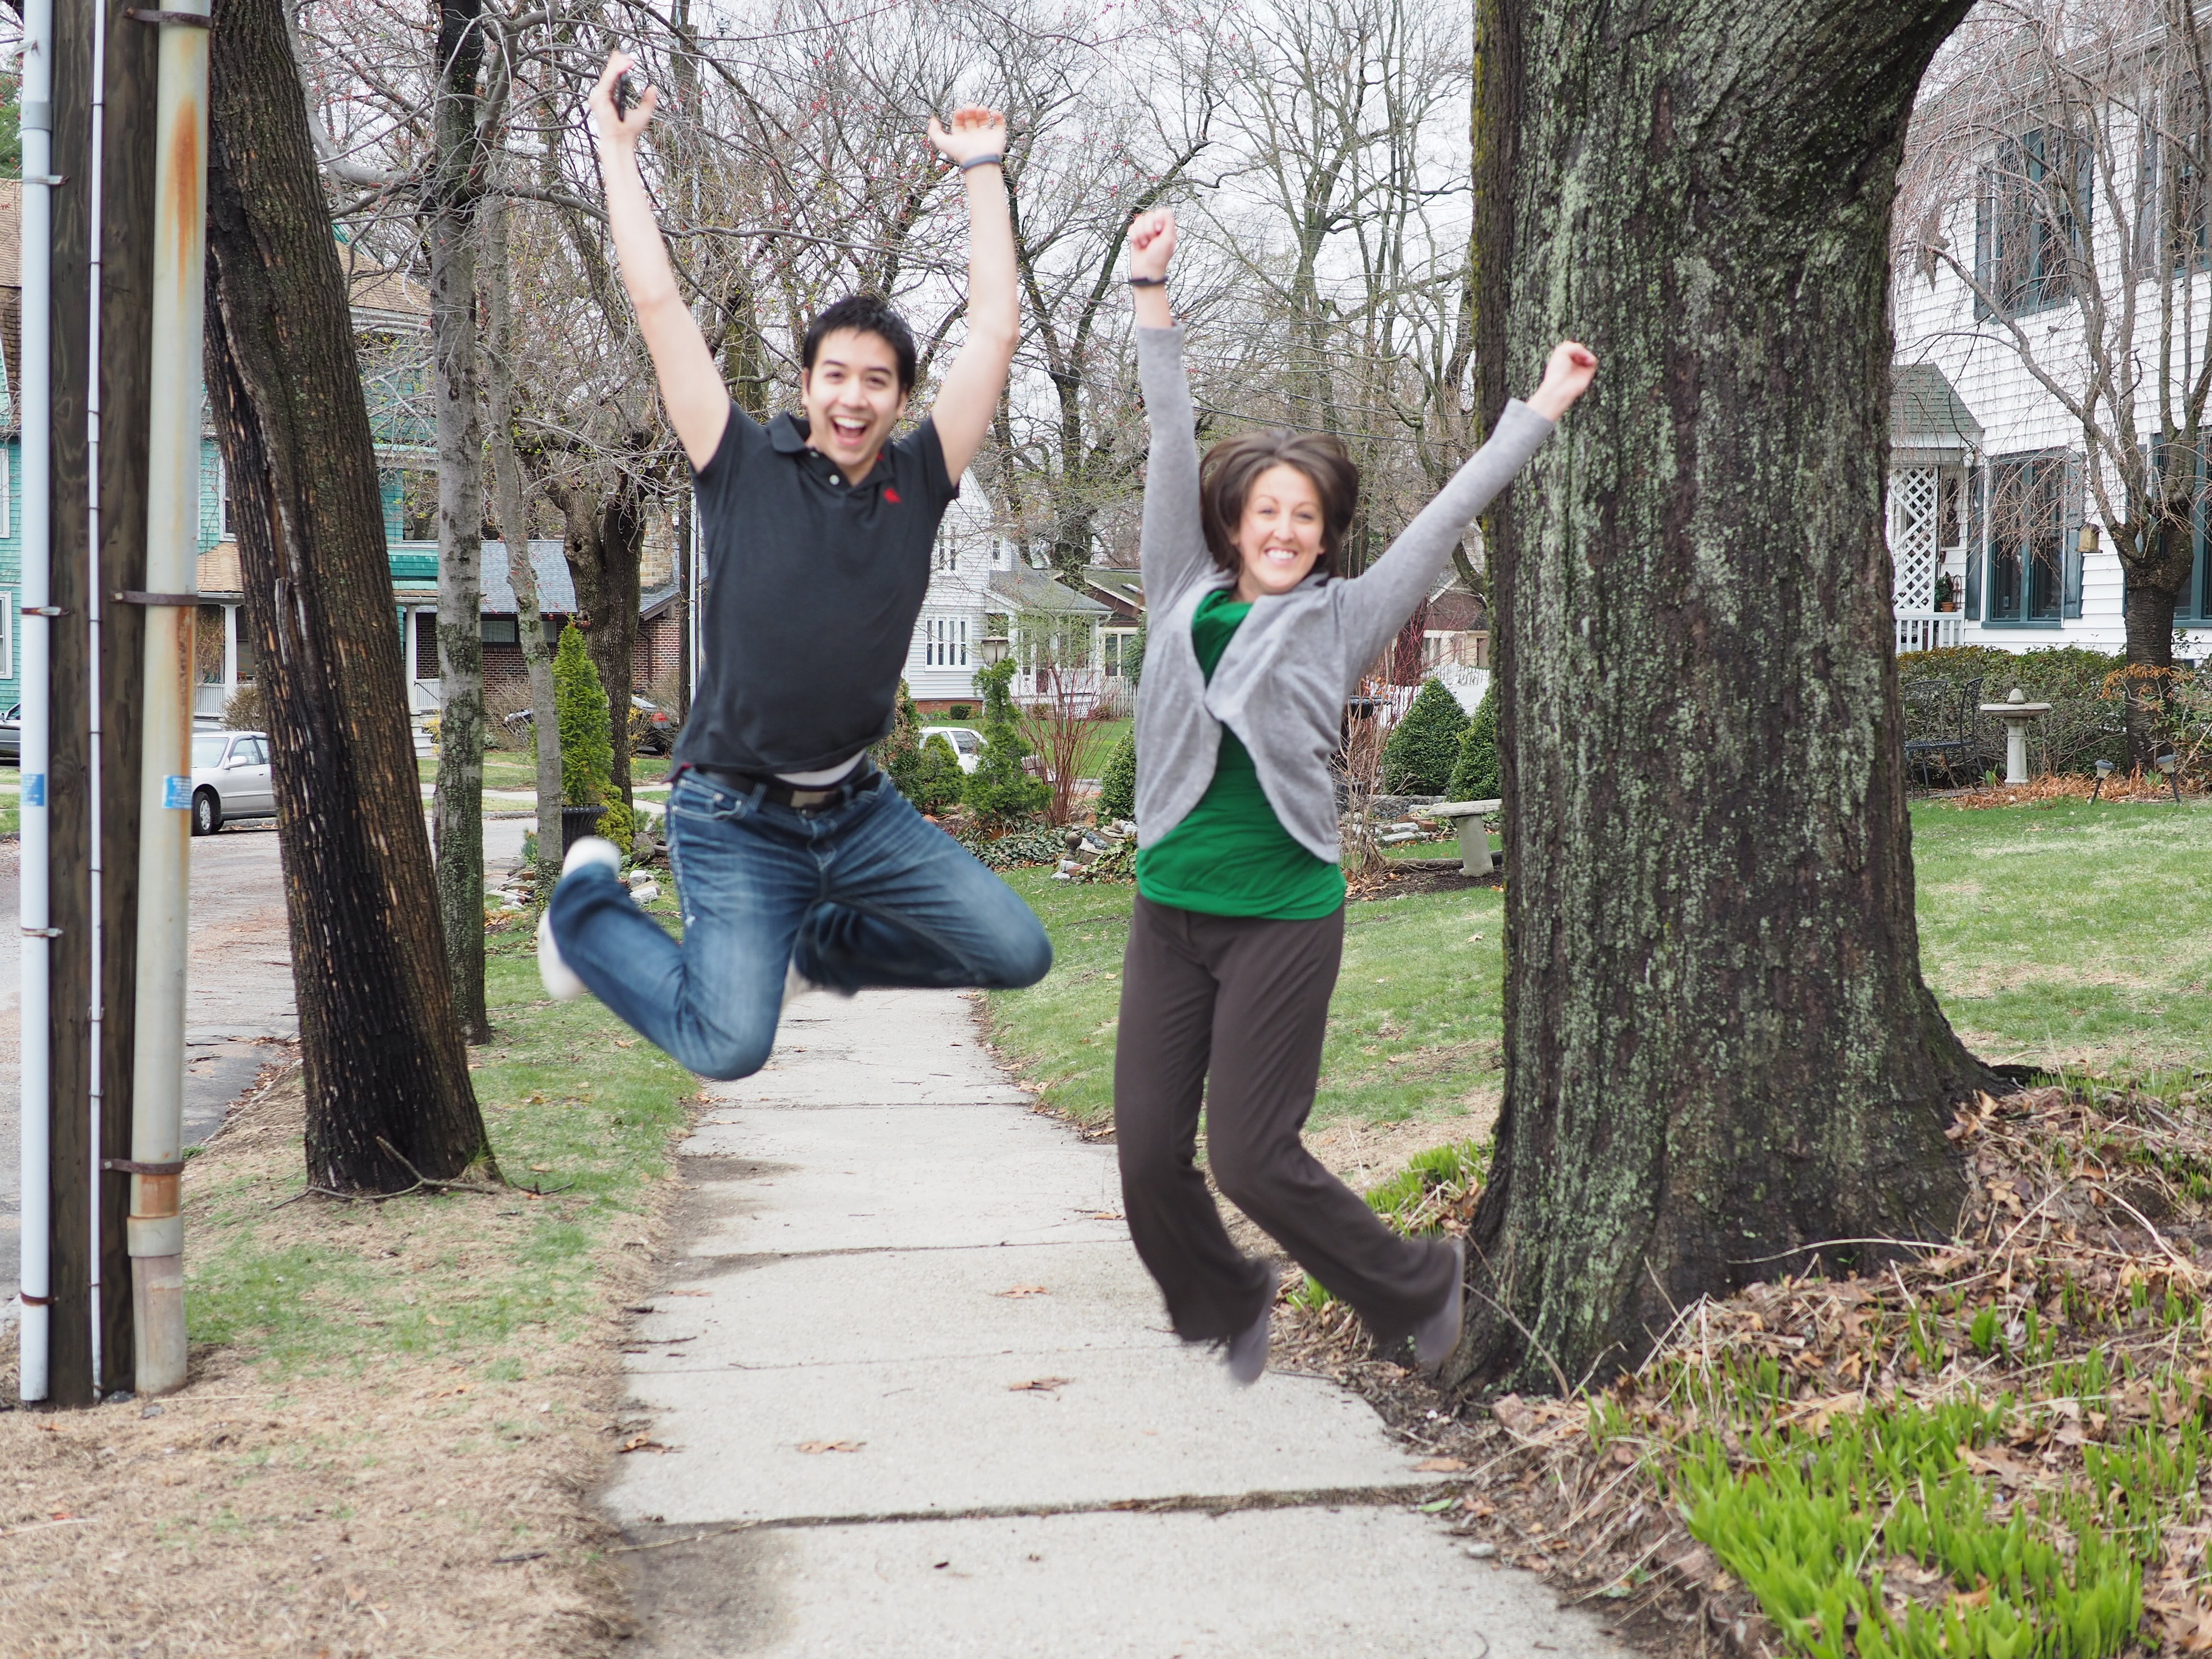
2032	225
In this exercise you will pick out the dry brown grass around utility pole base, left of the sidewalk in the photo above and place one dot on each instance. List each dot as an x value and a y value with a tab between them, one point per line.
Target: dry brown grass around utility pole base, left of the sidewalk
413	1505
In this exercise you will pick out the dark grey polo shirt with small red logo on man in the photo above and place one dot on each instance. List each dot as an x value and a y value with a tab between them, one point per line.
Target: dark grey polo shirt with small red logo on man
811	598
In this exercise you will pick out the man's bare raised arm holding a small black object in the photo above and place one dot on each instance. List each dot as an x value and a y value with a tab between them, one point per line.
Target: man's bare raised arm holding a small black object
691	386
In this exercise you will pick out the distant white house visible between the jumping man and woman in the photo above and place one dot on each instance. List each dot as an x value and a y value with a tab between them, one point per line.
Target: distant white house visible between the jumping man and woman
985	603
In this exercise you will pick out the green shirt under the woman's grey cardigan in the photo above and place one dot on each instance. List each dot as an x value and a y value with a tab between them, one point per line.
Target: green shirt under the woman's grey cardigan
1233	857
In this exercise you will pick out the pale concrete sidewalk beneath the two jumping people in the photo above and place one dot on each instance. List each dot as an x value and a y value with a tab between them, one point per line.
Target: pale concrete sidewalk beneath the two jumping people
919	1399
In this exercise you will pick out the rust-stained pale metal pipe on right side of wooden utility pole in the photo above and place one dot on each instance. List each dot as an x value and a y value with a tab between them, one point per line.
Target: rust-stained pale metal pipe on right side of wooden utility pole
167	775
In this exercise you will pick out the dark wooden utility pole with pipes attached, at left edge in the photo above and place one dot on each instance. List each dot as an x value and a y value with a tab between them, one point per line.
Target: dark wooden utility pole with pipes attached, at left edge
92	1103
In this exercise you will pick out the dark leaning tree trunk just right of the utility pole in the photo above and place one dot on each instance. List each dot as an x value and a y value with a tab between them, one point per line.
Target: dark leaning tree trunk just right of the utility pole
384	1054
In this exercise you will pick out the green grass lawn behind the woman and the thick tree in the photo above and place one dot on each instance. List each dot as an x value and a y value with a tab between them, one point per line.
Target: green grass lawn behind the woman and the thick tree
2056	935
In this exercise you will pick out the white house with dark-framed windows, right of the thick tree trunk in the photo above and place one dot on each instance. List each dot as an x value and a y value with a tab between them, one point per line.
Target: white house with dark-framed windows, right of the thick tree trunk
2005	251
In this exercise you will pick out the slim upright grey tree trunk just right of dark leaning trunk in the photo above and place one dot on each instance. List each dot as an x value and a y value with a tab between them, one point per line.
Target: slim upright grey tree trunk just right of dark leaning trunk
459	802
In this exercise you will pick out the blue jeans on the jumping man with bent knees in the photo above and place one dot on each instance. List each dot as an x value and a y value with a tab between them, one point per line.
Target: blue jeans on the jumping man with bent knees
862	895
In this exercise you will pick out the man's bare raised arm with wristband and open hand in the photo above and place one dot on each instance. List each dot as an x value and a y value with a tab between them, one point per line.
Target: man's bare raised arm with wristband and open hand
968	399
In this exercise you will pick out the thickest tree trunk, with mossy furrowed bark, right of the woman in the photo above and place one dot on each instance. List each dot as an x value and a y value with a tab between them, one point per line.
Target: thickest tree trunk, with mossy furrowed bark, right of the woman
1720	1052
